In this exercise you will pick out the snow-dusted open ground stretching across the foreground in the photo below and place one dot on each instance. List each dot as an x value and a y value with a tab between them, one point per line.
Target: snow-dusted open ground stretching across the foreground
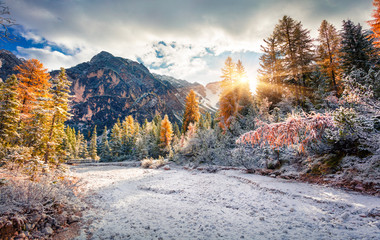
135	203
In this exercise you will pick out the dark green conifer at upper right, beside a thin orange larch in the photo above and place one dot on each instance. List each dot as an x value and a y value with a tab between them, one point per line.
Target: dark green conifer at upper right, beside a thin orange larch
357	49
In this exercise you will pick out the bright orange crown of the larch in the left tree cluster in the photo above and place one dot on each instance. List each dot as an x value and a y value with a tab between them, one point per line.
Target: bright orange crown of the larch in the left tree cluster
34	84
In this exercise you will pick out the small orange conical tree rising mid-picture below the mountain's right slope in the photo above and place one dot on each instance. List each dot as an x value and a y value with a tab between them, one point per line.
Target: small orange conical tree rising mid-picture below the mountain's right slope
191	114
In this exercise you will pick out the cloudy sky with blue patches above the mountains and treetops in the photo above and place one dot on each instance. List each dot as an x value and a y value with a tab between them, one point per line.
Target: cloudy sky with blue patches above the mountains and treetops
184	39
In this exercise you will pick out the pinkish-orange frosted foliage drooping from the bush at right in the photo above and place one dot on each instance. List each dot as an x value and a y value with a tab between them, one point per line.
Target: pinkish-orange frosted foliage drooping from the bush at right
295	131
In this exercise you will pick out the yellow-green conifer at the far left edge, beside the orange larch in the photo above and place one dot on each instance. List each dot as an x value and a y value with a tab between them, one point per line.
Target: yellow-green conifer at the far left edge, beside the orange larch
9	111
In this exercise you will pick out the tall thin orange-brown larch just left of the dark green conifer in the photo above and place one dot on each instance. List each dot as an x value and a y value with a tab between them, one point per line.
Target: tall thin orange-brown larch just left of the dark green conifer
328	53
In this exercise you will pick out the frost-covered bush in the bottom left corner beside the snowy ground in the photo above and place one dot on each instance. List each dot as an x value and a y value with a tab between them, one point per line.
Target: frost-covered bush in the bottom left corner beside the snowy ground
36	209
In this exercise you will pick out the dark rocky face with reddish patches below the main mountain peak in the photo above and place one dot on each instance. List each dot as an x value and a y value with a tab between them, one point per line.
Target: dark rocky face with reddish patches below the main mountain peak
107	88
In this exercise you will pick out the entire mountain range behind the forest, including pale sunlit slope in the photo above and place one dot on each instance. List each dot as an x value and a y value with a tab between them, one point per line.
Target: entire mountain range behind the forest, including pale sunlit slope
107	88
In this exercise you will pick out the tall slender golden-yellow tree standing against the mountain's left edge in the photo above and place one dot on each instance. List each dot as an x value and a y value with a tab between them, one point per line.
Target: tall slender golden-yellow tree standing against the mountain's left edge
59	104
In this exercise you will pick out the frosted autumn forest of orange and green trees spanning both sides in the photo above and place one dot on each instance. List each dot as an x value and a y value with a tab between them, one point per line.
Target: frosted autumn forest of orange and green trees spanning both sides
315	113
